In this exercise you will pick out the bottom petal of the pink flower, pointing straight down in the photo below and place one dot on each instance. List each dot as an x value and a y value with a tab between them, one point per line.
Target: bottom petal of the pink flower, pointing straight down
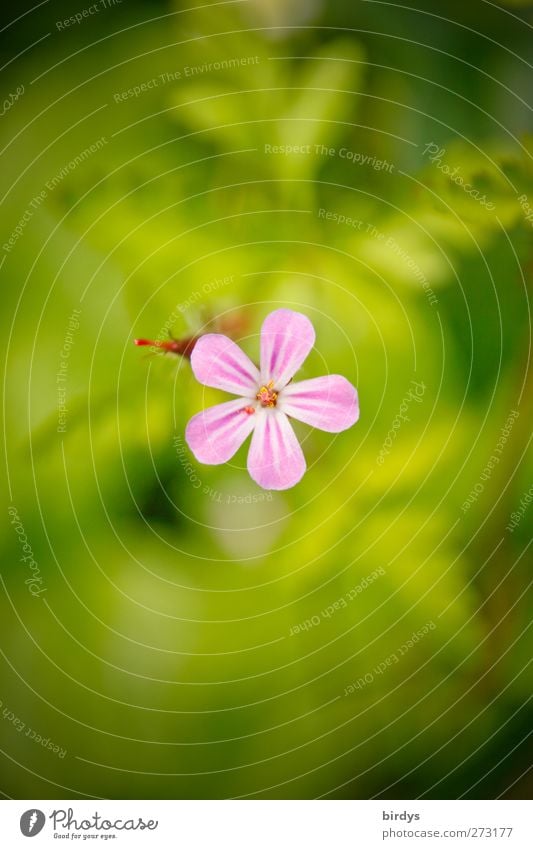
275	459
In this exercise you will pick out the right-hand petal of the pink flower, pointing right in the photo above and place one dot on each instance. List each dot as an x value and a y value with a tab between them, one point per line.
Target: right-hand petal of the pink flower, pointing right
328	403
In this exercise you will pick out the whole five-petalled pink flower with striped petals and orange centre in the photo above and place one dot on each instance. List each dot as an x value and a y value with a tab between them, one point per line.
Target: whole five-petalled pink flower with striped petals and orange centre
266	400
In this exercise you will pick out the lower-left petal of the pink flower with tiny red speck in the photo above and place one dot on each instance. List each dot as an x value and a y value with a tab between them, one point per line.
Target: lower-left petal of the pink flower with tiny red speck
215	434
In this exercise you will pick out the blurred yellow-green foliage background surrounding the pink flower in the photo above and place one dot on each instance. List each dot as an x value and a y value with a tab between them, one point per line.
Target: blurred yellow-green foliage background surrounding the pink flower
187	635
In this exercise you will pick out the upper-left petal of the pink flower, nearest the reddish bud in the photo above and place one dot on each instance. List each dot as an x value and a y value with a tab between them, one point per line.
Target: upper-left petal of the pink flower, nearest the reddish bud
217	361
